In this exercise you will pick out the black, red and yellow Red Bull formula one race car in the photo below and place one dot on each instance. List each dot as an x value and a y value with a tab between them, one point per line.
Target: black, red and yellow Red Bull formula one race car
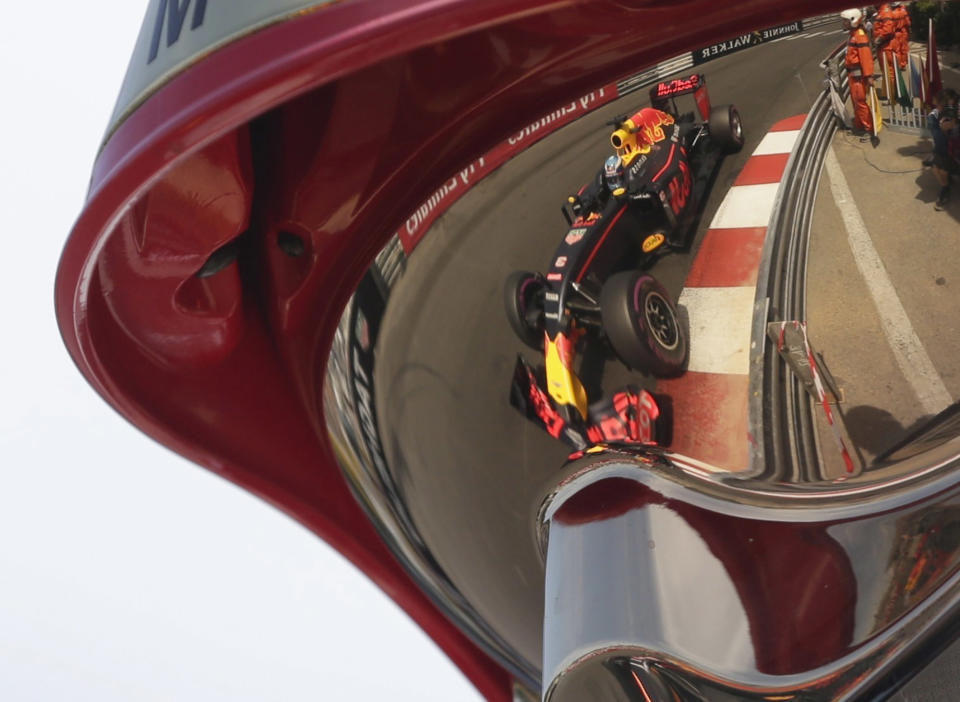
645	200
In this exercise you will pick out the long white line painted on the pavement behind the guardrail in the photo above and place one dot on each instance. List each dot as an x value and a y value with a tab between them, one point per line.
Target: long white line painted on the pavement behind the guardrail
910	354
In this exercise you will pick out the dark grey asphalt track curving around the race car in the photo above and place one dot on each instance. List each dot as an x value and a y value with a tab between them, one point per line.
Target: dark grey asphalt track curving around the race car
470	469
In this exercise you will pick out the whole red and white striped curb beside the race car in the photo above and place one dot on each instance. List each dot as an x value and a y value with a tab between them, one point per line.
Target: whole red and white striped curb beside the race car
710	399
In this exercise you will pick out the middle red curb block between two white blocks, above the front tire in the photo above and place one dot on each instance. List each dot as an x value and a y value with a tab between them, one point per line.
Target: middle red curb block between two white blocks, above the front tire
727	258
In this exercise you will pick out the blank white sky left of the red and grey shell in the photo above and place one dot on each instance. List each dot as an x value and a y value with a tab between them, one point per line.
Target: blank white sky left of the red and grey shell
127	573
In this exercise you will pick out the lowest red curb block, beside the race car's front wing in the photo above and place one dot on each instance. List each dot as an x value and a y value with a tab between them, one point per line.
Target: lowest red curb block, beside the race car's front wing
710	418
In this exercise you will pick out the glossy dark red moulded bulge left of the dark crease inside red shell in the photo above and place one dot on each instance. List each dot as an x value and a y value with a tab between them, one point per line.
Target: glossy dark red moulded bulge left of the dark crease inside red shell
204	203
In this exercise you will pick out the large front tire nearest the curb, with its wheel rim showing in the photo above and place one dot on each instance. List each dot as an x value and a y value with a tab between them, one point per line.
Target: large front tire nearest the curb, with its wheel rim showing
642	324
